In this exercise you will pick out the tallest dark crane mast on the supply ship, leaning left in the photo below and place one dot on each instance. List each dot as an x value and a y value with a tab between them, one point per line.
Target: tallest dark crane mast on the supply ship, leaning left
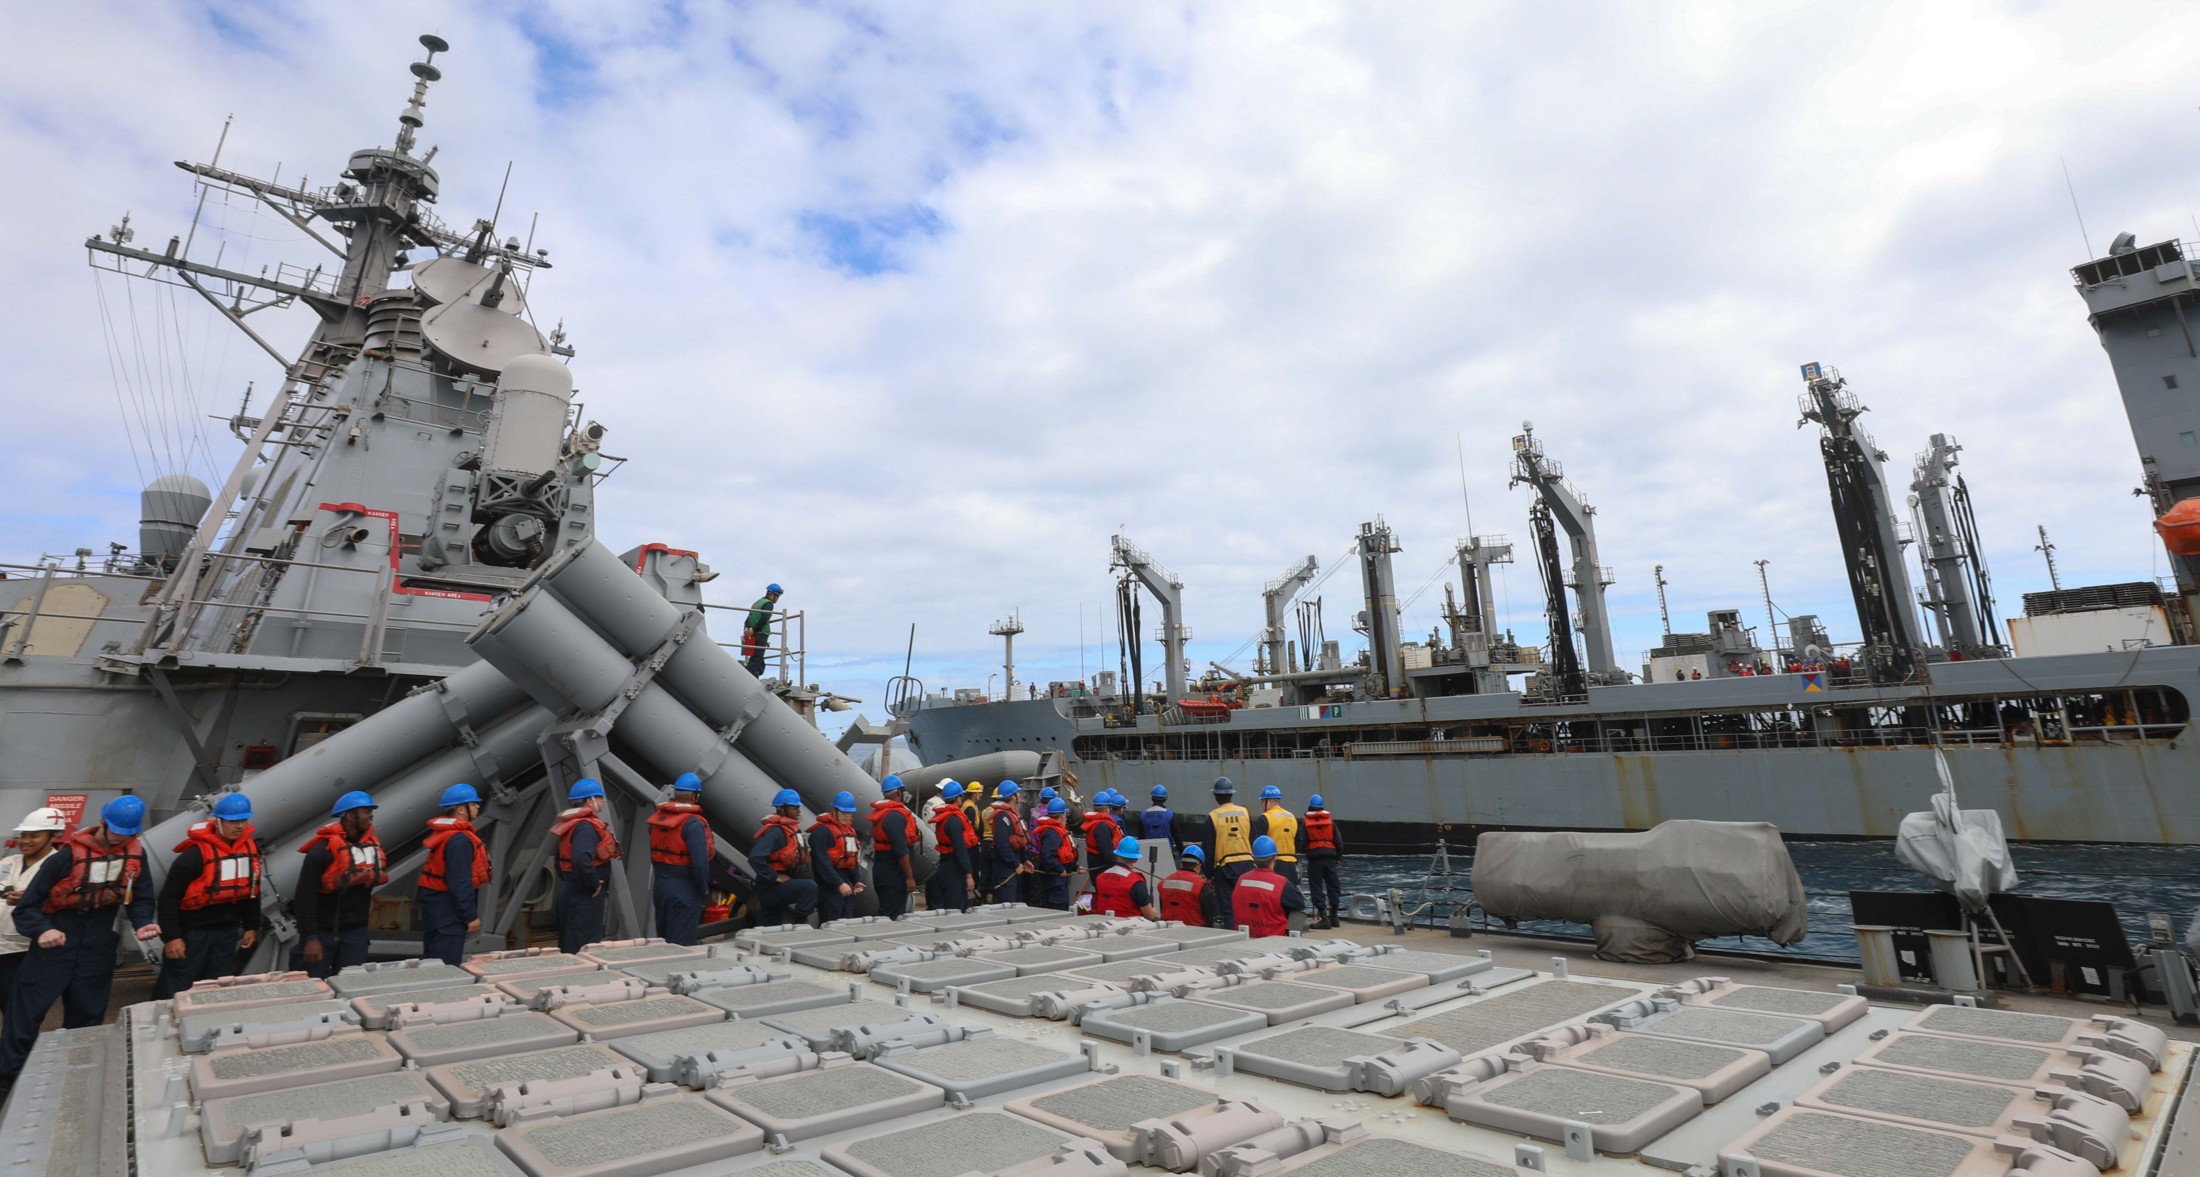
1864	518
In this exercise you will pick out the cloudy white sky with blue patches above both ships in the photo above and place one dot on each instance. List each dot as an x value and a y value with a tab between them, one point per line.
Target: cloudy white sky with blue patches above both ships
914	307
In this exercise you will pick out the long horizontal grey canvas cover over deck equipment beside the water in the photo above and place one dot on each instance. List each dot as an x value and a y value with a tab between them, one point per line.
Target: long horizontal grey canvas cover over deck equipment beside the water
1649	894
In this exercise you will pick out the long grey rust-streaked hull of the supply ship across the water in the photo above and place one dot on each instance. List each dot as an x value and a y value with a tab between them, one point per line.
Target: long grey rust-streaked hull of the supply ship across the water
1605	769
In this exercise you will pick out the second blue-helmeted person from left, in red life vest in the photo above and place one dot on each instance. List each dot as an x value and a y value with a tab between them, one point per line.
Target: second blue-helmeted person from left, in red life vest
210	901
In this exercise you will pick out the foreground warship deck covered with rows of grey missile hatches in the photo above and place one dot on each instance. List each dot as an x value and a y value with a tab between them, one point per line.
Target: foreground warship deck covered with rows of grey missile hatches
943	1088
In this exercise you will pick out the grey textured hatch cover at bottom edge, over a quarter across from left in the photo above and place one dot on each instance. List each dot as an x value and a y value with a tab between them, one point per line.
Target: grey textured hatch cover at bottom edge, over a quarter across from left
637	1141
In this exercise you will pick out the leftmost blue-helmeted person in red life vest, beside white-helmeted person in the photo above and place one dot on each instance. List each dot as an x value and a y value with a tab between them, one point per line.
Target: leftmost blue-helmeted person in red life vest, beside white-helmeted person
69	916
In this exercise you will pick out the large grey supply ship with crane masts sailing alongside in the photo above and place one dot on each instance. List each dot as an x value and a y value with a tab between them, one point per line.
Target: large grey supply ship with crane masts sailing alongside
2071	720
